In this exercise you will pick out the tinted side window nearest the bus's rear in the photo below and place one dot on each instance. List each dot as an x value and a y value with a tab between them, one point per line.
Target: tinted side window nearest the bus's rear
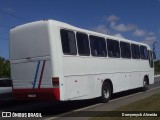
68	42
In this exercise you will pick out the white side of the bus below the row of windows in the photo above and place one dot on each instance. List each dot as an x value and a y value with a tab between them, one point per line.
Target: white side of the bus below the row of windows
125	74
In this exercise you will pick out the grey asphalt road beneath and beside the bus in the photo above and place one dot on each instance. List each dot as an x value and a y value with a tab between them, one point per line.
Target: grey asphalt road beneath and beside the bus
58	108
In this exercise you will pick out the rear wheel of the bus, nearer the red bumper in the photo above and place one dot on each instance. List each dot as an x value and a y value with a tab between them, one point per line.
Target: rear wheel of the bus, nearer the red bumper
106	92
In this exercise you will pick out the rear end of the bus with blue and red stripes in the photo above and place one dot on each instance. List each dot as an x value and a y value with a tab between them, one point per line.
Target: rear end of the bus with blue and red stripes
30	58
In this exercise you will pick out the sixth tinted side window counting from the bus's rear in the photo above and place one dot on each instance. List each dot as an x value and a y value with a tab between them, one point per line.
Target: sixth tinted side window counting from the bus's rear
135	51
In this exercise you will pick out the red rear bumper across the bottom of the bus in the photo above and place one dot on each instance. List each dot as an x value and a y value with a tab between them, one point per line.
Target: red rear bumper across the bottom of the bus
37	94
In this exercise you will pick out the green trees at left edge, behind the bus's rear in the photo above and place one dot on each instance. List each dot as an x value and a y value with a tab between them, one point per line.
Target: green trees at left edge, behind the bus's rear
4	67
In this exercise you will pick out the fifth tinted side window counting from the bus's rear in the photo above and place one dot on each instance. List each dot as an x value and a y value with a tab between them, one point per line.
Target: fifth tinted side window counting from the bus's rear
125	50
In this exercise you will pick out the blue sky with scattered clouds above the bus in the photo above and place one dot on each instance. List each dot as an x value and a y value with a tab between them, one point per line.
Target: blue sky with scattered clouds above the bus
138	20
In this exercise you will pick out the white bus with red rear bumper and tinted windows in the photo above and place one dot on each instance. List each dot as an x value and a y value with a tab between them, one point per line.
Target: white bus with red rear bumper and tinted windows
55	60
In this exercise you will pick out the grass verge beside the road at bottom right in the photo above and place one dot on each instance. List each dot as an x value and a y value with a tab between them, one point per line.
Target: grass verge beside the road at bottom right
151	103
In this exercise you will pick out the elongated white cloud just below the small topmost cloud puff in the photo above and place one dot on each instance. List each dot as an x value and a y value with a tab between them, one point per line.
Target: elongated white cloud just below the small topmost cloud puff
122	27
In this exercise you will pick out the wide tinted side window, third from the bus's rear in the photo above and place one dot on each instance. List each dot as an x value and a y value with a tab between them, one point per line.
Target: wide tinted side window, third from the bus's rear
98	46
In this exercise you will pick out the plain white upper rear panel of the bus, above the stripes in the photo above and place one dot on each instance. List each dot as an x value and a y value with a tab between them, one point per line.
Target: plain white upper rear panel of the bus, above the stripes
28	42
